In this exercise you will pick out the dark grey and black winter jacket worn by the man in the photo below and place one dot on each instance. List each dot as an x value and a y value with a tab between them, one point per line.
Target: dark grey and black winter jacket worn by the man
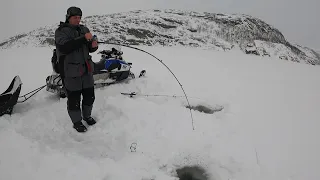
76	66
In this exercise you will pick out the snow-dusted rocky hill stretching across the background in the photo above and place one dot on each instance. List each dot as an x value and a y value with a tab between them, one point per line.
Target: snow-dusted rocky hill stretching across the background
182	28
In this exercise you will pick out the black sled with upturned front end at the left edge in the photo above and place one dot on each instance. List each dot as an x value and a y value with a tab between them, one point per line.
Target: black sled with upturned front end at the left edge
10	97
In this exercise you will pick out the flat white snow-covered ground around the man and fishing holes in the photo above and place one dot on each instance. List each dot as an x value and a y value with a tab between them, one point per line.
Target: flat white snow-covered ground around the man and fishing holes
268	128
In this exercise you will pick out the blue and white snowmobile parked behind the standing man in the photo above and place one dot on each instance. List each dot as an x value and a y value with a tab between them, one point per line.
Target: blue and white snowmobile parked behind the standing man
111	68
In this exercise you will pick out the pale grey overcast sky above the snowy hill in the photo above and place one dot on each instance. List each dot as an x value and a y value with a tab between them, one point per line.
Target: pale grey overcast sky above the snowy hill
296	19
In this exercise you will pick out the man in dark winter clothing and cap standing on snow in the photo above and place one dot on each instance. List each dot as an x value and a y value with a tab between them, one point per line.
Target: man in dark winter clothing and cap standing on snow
74	42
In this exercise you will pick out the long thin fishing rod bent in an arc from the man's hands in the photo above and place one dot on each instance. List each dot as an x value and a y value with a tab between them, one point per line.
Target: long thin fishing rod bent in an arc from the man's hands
128	46
